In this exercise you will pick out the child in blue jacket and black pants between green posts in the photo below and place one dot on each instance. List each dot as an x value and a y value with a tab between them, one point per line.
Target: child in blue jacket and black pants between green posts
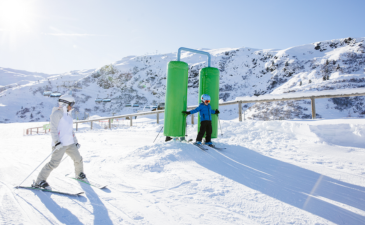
205	119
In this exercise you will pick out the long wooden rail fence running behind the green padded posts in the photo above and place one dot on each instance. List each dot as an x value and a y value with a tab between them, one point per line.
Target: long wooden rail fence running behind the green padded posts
239	102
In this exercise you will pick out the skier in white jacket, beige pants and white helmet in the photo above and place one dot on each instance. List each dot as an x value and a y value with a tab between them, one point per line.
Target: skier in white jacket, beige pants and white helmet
63	140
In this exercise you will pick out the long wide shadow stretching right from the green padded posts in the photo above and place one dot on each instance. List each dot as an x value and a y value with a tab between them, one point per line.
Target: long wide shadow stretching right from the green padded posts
288	183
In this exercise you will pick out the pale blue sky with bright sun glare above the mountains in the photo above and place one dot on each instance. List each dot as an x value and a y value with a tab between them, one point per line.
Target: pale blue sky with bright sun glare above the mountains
62	35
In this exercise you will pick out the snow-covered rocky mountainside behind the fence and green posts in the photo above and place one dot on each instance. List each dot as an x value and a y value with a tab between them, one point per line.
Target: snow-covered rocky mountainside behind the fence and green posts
327	65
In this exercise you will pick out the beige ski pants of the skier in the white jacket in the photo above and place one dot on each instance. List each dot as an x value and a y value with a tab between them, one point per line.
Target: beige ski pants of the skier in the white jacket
56	158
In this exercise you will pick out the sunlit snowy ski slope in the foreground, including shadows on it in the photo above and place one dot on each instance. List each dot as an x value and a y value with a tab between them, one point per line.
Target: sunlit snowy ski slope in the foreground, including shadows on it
275	172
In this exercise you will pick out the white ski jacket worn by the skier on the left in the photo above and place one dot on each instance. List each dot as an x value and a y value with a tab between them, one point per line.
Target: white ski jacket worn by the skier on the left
62	127
